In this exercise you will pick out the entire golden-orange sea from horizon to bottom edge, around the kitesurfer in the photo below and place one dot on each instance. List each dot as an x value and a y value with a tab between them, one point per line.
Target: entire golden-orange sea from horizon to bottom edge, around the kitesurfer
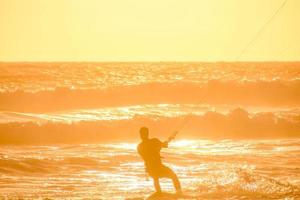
70	130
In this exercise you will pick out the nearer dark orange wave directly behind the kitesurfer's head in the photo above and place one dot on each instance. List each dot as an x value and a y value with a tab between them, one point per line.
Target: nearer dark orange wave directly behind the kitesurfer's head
237	123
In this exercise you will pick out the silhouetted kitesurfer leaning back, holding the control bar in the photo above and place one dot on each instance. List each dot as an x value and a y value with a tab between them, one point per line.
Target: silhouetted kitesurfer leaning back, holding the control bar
149	150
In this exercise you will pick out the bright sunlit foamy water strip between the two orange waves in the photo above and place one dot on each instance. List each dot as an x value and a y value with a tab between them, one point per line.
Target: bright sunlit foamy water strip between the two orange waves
152	111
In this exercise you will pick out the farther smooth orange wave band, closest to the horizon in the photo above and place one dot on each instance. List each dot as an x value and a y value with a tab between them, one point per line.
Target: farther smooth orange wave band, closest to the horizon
262	93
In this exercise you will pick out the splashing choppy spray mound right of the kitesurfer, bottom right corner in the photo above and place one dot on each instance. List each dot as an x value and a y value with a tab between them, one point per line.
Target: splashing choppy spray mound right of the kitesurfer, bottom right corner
243	184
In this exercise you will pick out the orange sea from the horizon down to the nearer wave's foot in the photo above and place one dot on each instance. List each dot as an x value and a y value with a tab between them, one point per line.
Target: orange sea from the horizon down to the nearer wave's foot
72	102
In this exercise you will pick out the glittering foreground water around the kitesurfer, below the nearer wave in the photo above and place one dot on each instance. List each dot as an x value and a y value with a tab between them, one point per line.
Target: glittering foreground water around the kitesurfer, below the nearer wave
225	169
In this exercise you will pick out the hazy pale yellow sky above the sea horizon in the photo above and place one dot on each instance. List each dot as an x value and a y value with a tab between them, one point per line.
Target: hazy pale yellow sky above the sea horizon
147	30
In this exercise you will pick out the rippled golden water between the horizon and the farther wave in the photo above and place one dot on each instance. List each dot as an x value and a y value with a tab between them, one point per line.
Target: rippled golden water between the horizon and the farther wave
35	77
